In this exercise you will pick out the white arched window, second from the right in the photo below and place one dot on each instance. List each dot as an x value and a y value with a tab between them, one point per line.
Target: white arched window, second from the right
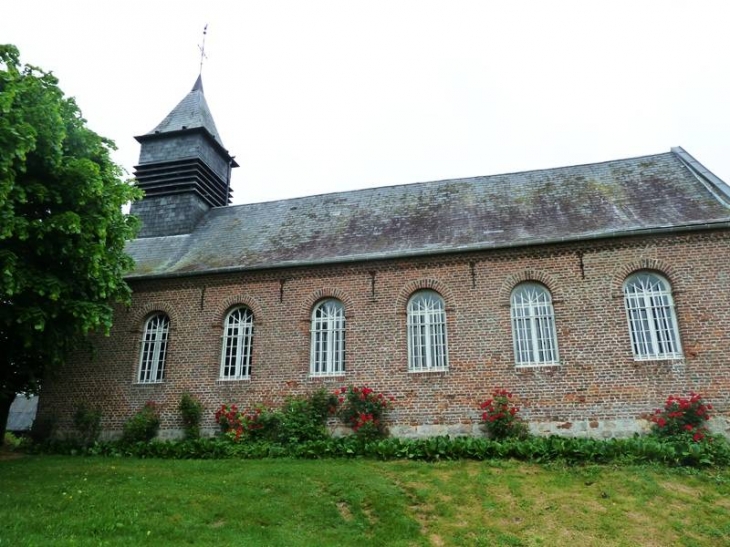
533	326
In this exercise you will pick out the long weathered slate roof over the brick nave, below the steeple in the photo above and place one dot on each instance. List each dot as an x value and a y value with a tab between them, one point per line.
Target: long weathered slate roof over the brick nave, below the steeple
663	192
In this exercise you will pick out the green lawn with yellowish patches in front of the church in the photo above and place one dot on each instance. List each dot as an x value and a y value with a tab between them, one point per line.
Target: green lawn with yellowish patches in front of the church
53	500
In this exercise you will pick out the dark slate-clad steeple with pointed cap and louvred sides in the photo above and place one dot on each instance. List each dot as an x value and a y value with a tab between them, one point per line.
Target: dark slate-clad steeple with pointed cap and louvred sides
183	168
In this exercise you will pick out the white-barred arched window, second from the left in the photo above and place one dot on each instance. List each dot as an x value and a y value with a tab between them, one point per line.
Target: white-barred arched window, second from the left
237	343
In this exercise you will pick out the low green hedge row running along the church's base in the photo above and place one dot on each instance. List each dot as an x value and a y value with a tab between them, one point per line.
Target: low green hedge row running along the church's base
634	450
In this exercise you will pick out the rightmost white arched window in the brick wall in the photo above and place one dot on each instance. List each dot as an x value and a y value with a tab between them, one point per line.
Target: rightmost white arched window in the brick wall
652	322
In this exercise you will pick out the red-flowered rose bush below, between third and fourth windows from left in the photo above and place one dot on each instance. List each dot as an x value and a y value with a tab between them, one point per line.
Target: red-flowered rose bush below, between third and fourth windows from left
363	410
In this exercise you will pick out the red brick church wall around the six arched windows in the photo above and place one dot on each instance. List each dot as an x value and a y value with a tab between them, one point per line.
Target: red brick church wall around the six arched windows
598	379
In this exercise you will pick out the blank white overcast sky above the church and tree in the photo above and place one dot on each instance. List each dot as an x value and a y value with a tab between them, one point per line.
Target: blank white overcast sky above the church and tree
319	96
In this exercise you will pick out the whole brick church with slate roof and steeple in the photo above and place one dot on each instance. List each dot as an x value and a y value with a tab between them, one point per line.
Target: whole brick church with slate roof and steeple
591	292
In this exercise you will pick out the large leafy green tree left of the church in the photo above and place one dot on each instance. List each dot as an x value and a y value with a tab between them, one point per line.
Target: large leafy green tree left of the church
62	229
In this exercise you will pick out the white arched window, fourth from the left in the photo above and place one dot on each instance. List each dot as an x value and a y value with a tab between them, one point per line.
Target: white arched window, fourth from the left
427	346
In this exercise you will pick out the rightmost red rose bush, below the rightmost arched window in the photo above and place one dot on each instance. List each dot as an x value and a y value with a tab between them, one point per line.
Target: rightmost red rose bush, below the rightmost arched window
682	416
